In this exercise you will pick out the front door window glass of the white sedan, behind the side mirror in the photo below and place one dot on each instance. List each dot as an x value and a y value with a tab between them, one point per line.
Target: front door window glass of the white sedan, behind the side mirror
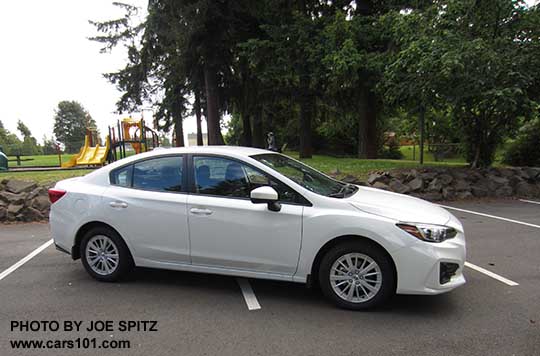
225	177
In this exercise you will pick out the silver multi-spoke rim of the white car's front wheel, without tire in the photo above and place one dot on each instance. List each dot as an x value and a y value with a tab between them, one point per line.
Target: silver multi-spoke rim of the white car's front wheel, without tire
355	277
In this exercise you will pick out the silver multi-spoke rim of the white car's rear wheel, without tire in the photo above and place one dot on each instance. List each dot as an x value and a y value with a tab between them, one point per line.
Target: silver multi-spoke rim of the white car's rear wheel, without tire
102	255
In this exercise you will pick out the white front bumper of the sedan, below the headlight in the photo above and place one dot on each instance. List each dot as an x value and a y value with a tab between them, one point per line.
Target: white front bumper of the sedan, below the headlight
419	266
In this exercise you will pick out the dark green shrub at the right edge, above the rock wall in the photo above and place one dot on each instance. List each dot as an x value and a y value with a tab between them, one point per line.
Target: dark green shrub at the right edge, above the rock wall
525	150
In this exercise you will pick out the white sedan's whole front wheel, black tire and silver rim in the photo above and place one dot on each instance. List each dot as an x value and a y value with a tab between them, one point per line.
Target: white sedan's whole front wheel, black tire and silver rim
357	275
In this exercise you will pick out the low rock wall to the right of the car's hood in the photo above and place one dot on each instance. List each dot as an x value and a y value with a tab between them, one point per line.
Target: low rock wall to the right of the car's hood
459	183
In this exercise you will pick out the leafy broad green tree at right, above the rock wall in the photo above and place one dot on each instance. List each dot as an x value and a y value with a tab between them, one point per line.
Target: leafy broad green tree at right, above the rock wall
473	56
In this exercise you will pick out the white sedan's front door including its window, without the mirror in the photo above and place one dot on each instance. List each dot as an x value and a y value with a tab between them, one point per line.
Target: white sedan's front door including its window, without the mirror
227	230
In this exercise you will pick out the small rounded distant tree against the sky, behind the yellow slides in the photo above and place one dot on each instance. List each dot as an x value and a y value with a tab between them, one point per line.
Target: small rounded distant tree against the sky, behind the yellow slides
71	121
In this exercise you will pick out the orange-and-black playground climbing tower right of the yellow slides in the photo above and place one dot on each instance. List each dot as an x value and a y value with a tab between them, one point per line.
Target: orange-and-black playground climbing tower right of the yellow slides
132	132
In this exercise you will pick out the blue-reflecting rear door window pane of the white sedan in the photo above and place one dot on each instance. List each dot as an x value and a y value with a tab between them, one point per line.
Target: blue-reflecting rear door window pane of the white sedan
162	174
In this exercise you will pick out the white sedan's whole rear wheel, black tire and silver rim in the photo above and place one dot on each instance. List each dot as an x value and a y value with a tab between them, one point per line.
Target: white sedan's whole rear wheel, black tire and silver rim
105	255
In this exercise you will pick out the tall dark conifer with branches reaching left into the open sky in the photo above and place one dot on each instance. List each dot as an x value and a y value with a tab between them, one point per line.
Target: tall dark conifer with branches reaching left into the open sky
182	49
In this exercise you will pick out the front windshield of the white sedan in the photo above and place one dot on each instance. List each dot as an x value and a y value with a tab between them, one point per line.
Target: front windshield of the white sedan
306	176
